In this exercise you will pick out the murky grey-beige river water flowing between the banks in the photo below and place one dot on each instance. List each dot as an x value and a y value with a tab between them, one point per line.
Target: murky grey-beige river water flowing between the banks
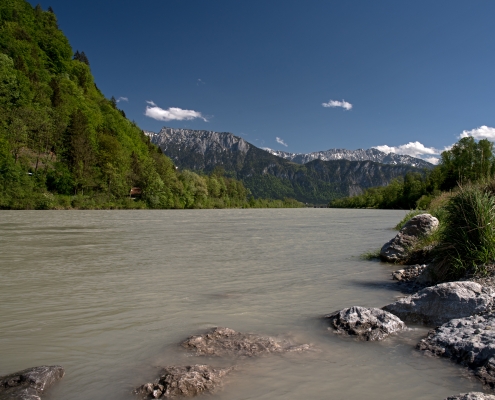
109	295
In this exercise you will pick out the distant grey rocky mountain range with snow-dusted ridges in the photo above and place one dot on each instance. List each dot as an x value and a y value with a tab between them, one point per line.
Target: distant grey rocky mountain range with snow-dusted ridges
314	178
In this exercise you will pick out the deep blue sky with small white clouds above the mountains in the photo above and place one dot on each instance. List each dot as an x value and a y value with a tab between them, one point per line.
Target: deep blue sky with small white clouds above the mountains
412	71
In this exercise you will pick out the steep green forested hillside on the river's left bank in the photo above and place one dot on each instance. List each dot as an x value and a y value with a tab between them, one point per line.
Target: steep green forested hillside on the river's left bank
64	145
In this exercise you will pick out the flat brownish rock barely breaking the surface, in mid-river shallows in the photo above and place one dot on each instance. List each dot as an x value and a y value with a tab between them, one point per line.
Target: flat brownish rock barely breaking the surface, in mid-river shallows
227	342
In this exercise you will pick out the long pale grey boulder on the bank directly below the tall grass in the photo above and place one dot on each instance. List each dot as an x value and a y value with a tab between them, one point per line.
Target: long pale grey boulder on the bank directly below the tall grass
438	304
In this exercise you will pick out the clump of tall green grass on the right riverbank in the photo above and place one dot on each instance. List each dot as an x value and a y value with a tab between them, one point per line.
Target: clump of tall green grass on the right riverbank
467	238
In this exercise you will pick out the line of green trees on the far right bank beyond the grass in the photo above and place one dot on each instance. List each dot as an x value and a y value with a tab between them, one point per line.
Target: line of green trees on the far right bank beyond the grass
468	161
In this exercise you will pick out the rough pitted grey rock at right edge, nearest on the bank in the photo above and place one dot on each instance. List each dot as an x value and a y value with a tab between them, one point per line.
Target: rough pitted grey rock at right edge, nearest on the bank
468	341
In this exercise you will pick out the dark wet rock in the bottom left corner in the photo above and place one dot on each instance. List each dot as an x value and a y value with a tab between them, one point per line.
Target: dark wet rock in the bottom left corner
30	383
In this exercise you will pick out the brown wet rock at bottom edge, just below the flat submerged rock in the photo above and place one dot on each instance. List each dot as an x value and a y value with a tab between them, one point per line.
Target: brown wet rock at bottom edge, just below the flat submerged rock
184	381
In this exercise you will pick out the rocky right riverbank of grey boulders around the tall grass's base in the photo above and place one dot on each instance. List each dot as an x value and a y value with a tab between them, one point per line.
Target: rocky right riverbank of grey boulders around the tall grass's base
462	312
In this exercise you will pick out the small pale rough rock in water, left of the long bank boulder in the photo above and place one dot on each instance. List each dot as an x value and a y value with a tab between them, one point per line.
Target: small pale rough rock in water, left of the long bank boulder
365	323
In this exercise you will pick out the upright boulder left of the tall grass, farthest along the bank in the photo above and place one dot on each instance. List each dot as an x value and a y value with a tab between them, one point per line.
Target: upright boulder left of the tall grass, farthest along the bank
396	249
